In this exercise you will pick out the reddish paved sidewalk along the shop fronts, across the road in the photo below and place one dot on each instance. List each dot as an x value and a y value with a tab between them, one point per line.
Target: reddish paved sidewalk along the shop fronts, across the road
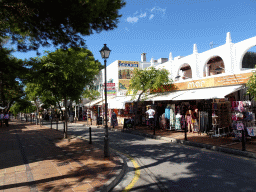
225	142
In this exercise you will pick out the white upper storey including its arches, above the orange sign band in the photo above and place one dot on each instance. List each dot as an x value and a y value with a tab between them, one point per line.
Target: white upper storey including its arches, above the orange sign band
223	60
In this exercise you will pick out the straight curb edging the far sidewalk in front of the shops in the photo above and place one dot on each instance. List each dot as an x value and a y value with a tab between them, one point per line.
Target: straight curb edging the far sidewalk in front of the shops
199	145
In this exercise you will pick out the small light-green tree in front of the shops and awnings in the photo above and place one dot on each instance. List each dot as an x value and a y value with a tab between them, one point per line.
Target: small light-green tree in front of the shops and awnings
145	80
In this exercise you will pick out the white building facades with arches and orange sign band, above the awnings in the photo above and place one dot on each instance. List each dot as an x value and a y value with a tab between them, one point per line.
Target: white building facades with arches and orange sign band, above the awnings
219	66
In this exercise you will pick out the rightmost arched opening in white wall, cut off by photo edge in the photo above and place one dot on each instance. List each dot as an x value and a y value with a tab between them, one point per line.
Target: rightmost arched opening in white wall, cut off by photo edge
249	59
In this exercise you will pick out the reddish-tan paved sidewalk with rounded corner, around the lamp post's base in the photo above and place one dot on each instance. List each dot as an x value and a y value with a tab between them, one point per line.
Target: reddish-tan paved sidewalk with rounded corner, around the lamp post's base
34	158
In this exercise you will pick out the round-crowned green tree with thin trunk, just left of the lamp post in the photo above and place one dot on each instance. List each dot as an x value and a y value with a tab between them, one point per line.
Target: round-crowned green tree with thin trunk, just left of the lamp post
65	73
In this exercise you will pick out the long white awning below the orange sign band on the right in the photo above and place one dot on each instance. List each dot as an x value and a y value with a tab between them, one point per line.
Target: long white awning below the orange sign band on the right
208	93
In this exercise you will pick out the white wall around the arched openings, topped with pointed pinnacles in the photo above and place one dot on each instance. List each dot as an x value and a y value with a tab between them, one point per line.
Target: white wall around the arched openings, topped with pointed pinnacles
231	53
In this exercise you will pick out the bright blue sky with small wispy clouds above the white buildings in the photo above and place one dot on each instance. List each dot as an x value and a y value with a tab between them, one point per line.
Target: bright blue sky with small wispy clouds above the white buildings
160	27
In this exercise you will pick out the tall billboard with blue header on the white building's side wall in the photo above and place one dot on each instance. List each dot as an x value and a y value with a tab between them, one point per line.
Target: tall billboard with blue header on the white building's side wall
125	72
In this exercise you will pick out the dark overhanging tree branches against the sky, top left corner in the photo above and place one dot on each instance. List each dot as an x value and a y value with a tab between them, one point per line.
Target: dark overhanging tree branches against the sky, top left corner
31	23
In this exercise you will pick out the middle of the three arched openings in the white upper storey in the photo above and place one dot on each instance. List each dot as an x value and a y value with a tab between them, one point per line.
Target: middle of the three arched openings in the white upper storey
214	66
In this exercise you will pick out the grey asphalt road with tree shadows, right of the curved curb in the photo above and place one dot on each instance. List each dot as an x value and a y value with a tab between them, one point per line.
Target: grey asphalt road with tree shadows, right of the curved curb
175	167
